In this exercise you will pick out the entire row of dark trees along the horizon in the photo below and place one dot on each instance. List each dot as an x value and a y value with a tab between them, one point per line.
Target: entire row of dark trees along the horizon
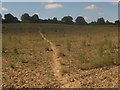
26	18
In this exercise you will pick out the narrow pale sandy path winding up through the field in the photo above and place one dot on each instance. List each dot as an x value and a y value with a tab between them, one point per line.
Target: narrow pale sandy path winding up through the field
56	64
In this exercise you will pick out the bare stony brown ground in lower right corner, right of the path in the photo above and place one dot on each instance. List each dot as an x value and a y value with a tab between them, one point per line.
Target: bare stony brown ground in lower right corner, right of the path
105	77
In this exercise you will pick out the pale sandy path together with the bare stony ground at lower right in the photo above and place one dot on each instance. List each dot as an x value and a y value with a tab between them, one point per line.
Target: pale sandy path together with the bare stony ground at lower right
94	78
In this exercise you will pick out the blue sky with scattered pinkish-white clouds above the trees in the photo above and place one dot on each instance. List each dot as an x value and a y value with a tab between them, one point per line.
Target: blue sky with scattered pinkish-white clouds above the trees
91	11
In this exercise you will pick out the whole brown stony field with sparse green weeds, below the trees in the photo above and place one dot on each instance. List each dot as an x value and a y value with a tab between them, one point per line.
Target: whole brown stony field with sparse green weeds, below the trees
86	56
